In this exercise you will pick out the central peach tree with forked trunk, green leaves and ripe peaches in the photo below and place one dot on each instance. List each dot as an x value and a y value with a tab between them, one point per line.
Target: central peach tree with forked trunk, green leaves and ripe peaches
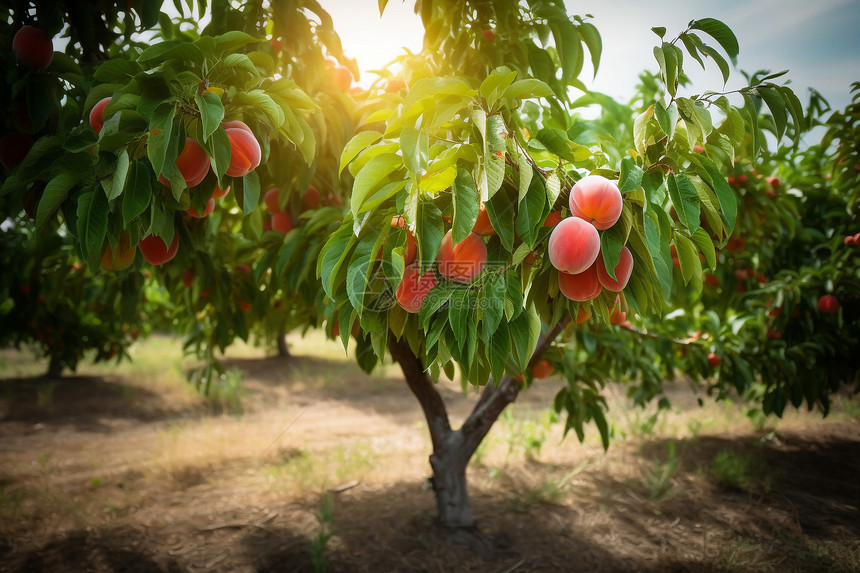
527	219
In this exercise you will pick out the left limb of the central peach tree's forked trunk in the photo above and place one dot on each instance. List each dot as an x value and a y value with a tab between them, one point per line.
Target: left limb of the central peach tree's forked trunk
423	388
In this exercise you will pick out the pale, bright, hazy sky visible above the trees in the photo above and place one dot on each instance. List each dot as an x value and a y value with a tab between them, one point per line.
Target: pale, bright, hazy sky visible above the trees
817	40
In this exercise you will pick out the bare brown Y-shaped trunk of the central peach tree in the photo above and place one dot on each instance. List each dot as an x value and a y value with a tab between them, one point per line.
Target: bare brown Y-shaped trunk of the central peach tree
452	449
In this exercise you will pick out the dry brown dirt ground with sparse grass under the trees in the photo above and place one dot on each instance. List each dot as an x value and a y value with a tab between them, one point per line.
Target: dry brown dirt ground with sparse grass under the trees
325	468
